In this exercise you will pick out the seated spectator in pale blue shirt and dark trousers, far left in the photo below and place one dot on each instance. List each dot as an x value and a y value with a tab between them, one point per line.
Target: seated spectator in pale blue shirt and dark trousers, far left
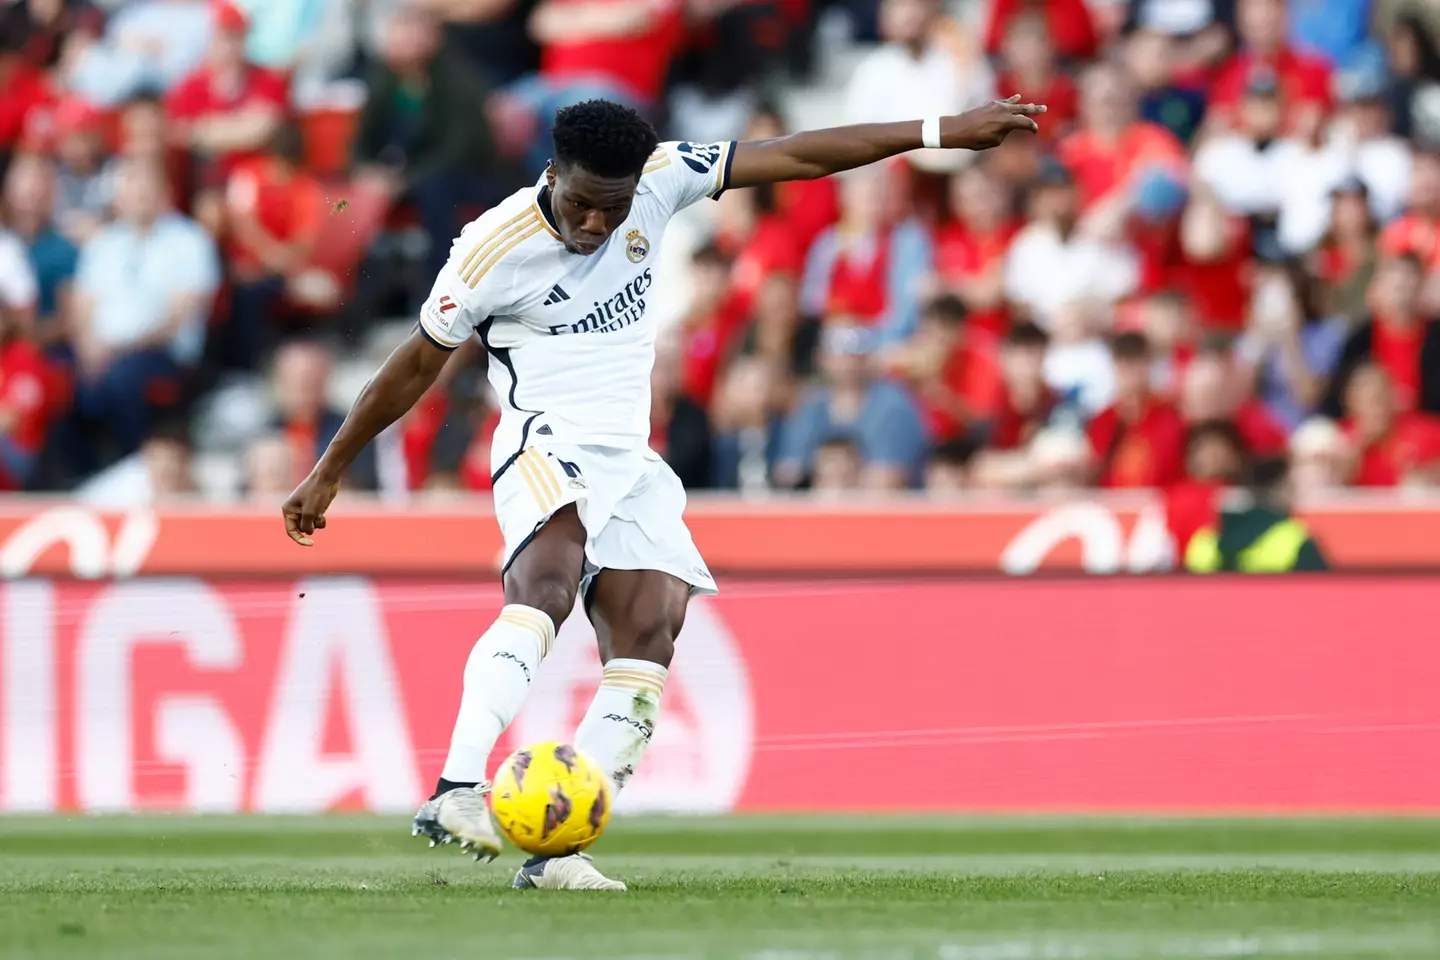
145	291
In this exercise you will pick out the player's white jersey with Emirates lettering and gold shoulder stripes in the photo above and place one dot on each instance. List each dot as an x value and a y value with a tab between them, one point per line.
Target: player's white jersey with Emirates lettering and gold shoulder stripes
571	348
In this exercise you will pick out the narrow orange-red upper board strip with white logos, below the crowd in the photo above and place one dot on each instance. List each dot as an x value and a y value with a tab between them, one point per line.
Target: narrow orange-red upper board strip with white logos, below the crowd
1107	535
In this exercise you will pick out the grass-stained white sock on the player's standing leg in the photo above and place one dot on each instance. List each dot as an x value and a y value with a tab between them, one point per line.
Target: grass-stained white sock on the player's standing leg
621	719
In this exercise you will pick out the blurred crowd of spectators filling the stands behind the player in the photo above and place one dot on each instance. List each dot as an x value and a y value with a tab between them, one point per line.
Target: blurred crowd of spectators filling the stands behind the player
1223	248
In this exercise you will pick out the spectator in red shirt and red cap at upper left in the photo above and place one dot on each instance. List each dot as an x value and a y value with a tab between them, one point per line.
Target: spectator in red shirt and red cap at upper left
228	110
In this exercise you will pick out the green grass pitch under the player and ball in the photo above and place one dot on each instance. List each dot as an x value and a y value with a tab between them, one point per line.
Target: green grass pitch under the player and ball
774	889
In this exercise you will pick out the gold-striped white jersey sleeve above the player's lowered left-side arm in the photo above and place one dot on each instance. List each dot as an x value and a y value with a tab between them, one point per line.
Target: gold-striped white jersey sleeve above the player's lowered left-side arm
476	281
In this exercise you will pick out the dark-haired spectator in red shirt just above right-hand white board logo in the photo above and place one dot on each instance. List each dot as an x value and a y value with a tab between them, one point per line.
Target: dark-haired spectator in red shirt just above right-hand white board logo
1138	441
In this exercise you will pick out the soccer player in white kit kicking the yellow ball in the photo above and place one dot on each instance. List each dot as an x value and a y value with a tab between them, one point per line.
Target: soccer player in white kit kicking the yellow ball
554	283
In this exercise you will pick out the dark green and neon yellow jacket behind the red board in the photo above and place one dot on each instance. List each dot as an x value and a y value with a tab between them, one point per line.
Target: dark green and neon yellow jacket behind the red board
1255	540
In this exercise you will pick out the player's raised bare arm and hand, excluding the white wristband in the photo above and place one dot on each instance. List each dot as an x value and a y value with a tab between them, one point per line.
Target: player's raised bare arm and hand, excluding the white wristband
820	153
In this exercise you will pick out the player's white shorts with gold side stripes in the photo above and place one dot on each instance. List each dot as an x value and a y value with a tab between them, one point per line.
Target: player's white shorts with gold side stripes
630	503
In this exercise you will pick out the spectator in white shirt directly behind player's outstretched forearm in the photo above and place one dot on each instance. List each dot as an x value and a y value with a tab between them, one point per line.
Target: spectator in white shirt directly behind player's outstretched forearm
927	67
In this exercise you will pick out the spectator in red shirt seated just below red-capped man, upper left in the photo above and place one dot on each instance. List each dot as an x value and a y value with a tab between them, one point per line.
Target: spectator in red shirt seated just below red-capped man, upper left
274	214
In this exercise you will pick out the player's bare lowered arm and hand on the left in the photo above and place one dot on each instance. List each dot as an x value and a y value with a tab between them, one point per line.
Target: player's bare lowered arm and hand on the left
397	386
